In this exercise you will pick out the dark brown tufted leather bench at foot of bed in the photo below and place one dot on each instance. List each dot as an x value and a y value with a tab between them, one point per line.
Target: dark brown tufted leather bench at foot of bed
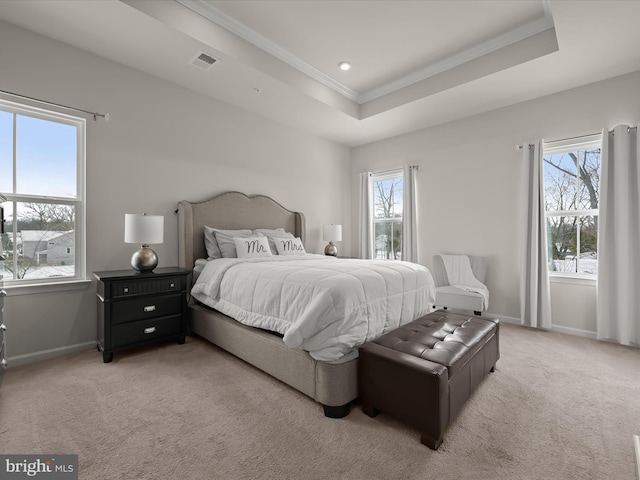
423	373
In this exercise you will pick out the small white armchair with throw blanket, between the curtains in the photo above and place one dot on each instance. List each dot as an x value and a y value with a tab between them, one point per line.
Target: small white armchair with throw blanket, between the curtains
466	289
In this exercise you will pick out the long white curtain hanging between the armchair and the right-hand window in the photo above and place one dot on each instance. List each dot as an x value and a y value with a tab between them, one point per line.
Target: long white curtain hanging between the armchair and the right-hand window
535	297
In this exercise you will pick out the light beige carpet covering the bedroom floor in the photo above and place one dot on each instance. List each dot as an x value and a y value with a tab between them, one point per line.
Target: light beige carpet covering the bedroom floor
557	407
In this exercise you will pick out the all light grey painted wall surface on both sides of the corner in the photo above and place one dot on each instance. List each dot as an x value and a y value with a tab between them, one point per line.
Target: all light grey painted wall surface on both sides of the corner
164	143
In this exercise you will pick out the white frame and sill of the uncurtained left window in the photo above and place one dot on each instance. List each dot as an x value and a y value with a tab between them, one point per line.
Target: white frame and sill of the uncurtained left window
33	285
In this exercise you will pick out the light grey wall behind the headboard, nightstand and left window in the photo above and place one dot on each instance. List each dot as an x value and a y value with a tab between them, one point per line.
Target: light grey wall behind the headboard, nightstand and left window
161	145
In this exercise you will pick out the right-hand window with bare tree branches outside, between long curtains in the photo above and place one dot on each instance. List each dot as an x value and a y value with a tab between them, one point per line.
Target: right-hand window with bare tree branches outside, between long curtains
571	182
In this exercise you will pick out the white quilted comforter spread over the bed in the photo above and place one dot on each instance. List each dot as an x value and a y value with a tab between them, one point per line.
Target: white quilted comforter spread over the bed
321	304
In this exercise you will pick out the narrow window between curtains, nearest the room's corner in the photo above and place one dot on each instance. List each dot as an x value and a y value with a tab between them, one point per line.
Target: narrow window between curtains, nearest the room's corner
387	215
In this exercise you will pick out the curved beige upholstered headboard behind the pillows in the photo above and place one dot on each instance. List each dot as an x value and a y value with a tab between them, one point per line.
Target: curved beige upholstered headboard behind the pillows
230	211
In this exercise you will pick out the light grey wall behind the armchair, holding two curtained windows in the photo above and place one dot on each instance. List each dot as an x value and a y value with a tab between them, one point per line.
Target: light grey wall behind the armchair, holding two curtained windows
469	197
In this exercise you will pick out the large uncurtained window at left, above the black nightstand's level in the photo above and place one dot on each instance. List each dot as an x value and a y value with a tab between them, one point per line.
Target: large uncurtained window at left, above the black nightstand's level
42	159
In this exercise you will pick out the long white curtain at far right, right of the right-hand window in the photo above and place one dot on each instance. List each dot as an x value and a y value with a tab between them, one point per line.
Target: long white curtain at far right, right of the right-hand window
618	304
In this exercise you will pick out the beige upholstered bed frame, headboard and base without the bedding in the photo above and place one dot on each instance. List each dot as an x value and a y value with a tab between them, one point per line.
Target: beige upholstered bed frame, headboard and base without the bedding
332	384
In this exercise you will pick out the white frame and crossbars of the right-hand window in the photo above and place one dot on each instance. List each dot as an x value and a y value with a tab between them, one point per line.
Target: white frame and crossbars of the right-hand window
582	143
